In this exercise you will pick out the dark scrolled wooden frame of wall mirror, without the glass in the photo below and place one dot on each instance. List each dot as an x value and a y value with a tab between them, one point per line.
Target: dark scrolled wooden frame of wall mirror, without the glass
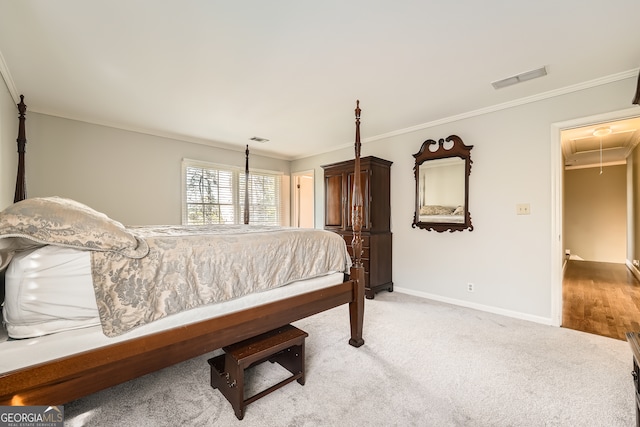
458	149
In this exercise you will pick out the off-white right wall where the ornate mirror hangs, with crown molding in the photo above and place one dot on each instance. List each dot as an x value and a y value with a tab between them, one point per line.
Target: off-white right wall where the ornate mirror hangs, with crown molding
506	256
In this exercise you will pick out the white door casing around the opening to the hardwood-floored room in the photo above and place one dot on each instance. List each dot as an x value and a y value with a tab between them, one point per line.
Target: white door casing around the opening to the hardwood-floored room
557	167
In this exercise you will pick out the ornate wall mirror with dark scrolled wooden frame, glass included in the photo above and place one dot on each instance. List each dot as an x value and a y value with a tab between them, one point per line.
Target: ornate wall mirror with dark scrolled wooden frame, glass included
442	172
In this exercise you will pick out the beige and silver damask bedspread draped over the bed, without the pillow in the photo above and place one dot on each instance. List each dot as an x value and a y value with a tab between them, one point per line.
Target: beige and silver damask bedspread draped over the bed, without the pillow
187	267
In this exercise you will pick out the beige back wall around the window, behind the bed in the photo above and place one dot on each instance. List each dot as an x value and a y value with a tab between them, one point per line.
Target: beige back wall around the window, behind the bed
132	177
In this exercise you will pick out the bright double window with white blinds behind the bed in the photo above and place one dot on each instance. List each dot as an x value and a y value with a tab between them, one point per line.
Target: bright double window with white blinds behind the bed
214	194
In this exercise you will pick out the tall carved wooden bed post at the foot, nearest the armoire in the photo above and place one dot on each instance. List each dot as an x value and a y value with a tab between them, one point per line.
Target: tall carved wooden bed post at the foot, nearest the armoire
356	308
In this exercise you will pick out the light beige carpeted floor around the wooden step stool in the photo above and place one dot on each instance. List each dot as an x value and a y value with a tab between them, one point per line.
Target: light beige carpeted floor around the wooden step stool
424	363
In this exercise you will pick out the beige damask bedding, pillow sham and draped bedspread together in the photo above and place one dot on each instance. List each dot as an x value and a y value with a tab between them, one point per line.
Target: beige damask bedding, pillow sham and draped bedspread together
141	274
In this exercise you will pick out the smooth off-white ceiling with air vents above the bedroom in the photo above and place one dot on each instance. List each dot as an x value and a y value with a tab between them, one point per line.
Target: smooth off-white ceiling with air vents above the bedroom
222	72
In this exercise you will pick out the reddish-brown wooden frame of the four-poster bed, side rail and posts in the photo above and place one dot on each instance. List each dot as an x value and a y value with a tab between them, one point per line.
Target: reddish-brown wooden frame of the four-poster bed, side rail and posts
70	376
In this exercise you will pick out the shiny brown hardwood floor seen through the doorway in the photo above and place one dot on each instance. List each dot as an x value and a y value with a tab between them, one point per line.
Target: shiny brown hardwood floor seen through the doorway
600	298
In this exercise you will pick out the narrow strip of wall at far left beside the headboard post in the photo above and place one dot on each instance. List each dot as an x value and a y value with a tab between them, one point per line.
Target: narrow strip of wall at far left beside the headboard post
8	145
